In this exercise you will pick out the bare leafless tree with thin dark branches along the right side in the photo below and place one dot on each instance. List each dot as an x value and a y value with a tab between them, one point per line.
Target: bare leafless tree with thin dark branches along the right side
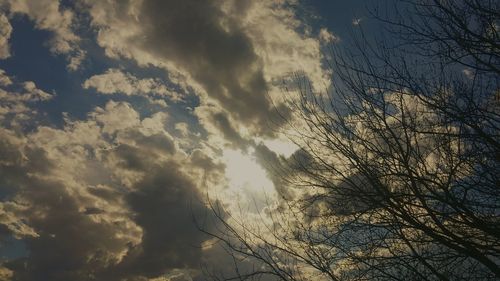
398	175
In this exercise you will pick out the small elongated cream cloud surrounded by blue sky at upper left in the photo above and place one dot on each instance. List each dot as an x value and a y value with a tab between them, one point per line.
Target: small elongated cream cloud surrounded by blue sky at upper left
115	81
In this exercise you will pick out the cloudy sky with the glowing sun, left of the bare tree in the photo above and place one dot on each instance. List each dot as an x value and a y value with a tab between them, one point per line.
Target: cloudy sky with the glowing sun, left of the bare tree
121	120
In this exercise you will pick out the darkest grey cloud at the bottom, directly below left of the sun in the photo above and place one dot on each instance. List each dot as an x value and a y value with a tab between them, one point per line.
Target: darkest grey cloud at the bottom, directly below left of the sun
164	205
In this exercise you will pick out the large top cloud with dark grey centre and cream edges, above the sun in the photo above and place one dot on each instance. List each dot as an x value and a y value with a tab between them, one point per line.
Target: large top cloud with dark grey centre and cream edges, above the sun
233	55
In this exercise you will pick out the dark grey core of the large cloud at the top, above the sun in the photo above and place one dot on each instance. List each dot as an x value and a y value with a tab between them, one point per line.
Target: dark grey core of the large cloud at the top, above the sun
213	49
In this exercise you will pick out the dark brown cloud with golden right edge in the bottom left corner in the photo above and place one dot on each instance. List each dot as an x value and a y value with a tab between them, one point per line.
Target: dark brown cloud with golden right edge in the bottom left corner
68	244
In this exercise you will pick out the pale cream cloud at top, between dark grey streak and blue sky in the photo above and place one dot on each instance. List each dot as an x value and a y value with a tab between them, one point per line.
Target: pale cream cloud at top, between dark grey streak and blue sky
284	50
